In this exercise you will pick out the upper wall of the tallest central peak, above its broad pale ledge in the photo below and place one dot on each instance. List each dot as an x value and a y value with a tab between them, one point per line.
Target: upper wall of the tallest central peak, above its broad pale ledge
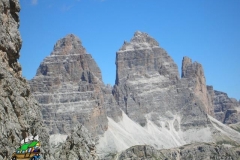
142	56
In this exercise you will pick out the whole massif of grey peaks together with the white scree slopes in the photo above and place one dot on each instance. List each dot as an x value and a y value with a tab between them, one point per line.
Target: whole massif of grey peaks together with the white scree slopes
149	103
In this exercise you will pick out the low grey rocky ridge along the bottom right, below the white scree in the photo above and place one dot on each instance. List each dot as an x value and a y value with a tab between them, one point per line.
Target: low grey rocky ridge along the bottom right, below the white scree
187	152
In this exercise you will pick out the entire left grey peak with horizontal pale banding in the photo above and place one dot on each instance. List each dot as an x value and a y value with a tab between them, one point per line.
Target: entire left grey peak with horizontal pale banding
68	85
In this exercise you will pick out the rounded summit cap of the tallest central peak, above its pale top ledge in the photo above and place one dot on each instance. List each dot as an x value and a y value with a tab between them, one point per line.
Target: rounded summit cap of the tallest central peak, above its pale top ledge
140	40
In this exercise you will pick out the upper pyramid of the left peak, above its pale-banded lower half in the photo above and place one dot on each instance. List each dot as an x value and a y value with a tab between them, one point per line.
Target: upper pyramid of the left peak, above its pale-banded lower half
69	62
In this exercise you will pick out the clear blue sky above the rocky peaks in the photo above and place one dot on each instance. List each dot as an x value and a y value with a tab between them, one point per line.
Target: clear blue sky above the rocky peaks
208	31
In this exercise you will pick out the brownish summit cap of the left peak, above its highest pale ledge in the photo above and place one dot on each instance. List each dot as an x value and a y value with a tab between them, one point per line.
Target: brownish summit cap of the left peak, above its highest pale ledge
68	45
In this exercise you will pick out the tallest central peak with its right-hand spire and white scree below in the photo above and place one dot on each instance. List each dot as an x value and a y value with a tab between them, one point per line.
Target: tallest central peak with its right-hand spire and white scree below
158	107
